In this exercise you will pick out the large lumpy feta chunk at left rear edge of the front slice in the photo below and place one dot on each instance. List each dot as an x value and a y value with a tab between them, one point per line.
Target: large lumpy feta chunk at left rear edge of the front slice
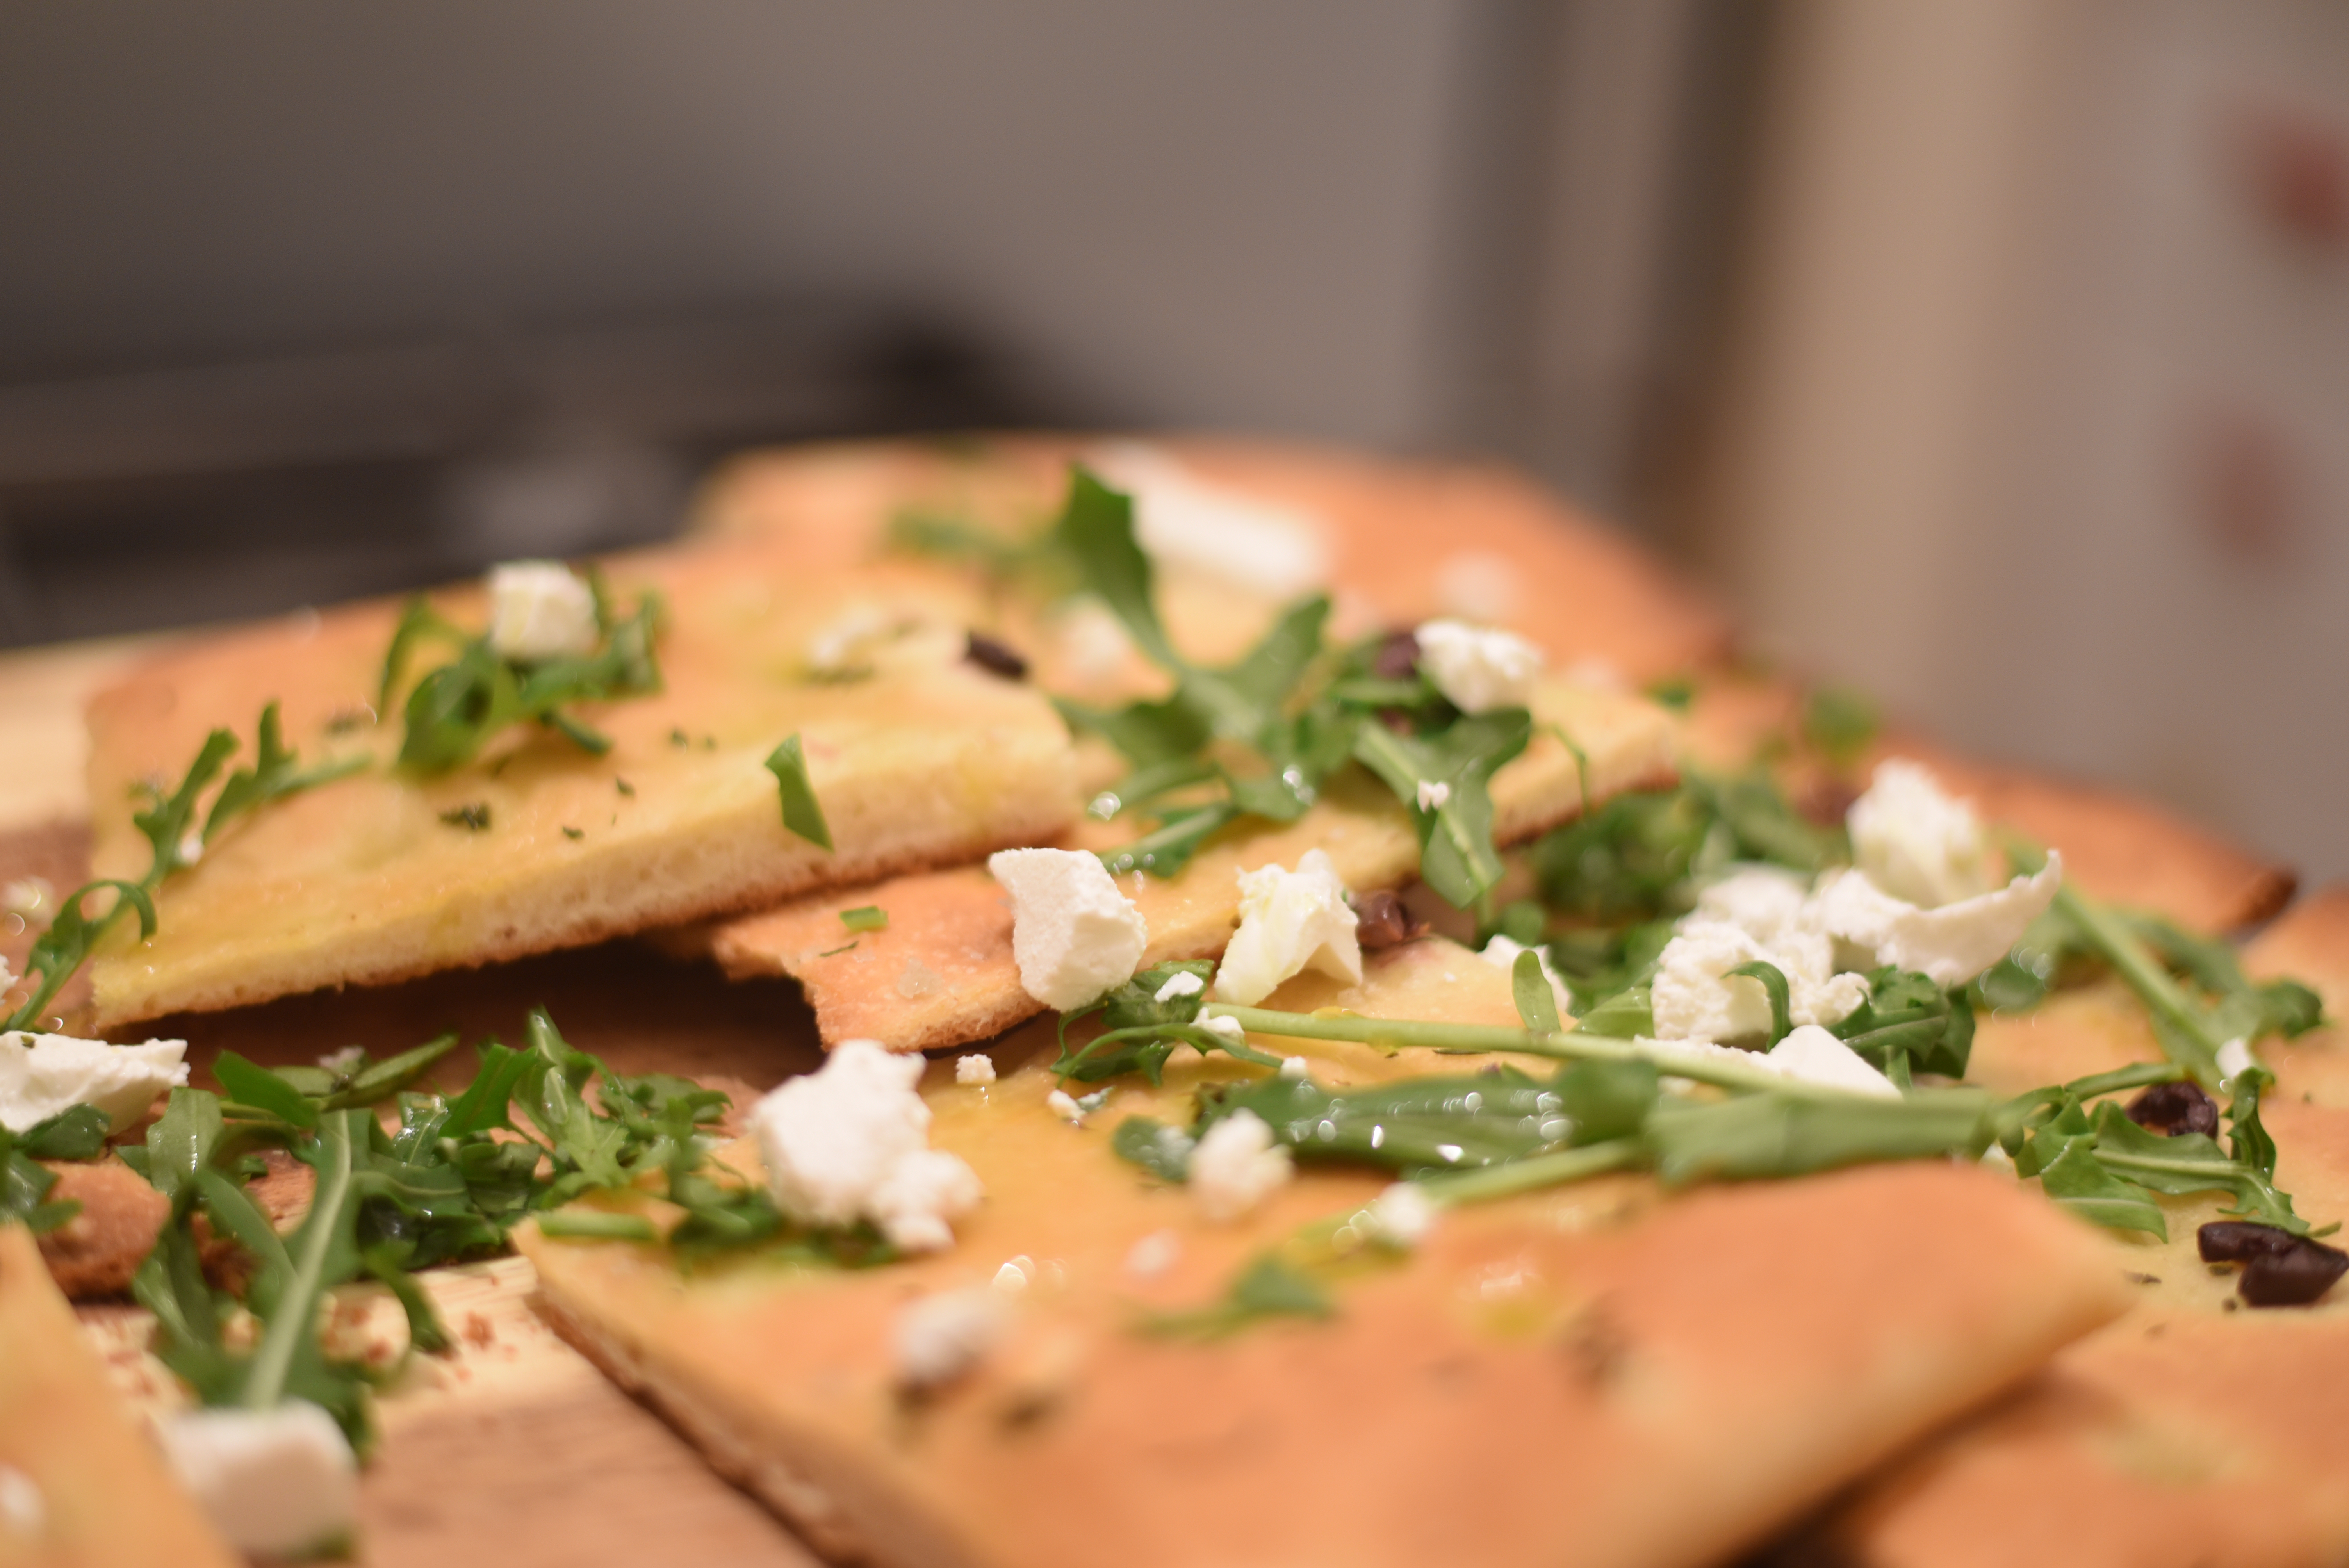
852	1142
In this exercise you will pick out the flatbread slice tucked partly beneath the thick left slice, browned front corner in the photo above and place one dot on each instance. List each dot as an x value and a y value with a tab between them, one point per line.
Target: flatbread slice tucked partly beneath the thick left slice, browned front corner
943	971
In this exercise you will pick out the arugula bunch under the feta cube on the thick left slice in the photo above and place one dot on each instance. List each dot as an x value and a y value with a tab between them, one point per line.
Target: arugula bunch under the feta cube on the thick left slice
455	710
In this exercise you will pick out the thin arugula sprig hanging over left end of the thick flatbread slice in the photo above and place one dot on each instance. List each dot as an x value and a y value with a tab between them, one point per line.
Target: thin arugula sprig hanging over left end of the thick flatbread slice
170	827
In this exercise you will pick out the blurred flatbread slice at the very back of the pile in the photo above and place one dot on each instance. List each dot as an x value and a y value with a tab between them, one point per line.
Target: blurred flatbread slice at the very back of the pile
1406	541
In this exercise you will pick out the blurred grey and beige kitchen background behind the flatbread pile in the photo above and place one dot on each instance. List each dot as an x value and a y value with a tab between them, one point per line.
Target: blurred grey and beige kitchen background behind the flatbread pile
1991	356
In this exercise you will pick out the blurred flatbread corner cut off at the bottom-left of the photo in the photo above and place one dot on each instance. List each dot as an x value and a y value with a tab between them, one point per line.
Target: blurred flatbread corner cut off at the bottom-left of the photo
81	1487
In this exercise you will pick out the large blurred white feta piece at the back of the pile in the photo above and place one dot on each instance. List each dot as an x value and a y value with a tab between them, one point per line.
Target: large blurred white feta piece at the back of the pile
1190	522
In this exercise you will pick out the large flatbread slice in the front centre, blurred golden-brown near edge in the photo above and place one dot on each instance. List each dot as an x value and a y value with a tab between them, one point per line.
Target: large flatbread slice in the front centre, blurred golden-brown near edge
1596	1374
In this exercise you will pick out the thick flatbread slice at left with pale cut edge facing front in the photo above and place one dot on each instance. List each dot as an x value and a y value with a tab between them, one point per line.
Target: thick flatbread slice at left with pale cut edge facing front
382	877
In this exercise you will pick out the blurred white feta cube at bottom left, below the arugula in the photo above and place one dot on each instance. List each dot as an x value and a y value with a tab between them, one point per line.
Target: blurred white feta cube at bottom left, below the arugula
274	1482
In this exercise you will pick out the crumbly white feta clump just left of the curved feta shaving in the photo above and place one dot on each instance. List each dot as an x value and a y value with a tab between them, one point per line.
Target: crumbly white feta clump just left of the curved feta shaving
1697	999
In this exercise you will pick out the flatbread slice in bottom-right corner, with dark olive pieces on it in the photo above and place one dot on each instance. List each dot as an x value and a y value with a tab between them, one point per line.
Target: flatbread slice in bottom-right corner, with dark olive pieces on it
2193	1431
